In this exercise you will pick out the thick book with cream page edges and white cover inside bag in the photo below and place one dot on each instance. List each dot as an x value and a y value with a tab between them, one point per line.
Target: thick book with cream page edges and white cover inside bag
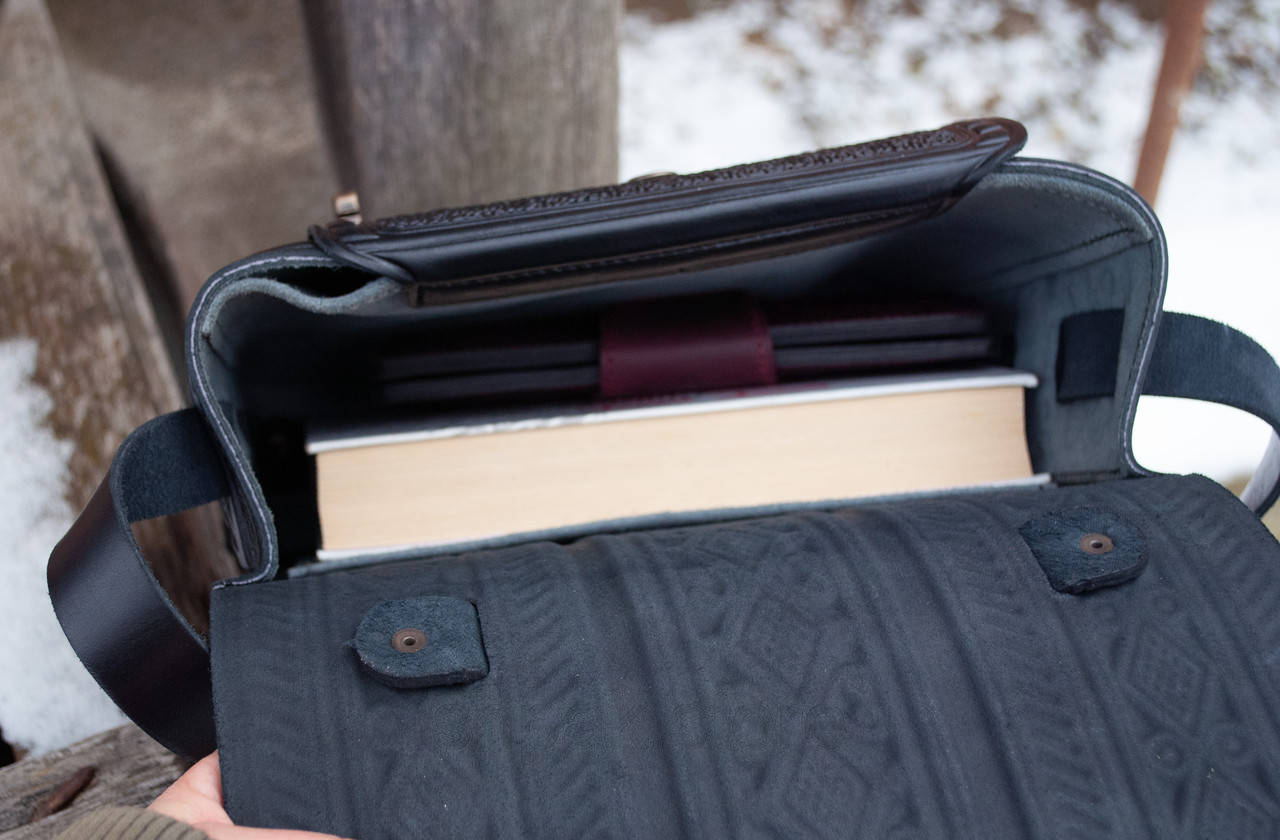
456	480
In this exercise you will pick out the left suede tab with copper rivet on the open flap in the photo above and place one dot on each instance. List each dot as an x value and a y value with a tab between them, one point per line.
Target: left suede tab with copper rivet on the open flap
422	642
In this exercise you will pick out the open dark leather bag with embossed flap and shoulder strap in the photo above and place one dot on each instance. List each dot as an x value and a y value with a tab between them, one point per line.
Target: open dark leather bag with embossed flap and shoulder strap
1095	658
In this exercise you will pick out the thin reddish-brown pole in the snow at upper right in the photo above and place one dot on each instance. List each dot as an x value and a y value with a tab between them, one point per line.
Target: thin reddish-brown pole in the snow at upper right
1185	31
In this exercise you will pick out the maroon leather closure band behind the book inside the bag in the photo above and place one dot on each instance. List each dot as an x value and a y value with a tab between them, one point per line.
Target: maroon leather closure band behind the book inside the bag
697	344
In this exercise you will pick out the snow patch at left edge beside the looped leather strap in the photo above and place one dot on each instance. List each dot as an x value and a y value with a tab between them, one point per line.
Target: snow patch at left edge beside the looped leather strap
47	697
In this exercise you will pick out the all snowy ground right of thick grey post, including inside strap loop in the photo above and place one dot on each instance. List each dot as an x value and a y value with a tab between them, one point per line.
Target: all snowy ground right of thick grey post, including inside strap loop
760	80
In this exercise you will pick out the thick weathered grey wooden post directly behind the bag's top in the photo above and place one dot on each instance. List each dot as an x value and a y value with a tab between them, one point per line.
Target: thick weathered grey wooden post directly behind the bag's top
436	103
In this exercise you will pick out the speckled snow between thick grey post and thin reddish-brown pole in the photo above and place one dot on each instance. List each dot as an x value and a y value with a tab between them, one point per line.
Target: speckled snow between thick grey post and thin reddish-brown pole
749	81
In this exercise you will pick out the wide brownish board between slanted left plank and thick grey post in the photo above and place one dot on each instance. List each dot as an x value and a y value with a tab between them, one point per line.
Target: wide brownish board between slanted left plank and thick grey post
207	112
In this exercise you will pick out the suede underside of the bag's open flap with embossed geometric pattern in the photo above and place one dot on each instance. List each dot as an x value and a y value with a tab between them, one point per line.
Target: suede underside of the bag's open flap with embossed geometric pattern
897	670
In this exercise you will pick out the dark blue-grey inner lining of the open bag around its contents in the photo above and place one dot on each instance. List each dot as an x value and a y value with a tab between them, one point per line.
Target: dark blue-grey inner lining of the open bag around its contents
1032	245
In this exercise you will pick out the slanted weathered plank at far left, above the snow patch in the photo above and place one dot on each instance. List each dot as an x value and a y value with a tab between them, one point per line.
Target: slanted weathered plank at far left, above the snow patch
67	277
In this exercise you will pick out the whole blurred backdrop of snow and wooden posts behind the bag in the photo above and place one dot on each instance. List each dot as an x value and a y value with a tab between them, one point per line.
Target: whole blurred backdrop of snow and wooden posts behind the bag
144	144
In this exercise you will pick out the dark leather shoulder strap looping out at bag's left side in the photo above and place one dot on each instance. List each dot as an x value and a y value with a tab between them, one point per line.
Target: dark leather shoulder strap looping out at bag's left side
113	610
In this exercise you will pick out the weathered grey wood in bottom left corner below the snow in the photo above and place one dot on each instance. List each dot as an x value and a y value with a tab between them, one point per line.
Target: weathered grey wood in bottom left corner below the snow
130	769
